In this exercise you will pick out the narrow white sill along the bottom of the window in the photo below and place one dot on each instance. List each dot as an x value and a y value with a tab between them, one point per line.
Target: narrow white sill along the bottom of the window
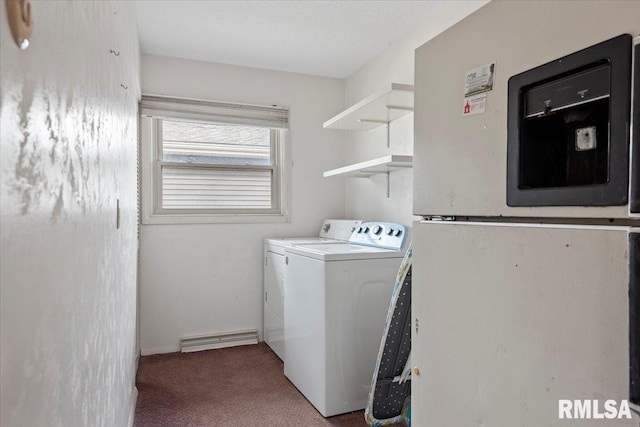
214	219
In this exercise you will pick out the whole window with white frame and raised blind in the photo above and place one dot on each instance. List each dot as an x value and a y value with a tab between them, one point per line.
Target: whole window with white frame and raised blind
212	162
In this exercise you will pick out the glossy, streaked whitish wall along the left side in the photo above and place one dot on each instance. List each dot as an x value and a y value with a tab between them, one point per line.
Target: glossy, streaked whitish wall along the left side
68	276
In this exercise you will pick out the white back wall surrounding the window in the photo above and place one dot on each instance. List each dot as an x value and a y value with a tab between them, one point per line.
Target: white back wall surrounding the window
206	278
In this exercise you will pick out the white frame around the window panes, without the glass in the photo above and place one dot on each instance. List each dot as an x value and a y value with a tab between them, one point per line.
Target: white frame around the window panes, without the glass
151	165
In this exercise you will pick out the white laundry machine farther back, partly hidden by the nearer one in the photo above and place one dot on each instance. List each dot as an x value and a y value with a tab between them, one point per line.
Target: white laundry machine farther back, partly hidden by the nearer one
332	230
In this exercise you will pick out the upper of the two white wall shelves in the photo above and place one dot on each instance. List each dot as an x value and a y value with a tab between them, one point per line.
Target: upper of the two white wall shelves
376	110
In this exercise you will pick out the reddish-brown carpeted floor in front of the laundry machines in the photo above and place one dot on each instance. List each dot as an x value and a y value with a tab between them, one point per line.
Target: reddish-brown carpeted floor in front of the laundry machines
239	386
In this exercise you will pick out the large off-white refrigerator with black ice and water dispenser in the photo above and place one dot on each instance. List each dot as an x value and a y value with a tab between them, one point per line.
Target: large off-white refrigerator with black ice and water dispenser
527	259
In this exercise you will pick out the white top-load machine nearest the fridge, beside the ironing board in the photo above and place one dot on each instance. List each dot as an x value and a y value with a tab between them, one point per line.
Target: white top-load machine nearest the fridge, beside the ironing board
338	295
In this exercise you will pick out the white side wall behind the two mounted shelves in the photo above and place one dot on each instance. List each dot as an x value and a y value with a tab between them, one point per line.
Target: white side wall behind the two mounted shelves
366	198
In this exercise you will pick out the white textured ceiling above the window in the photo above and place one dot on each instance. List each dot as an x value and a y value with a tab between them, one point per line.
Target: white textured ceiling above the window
326	38
